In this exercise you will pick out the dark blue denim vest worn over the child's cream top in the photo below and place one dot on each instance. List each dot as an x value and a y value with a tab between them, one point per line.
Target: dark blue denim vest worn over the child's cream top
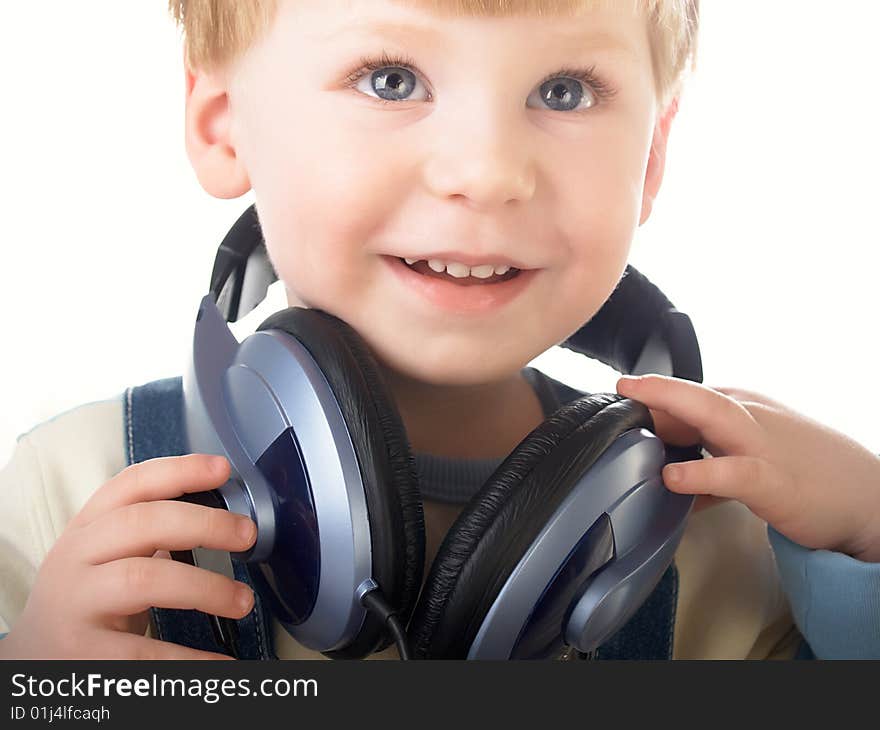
154	425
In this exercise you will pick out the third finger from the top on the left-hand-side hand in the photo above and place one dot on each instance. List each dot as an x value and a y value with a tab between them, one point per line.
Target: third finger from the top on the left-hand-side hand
131	585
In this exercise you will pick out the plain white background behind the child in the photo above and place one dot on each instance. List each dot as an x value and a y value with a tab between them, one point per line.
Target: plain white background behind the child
765	231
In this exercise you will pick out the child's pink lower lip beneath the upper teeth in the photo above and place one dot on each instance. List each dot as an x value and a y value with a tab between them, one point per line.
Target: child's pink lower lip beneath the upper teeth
453	297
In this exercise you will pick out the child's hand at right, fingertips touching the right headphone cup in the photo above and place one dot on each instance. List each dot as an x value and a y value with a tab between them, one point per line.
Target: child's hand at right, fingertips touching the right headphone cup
815	485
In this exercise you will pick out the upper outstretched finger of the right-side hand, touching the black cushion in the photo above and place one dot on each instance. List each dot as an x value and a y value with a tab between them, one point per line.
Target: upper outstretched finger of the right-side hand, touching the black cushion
721	421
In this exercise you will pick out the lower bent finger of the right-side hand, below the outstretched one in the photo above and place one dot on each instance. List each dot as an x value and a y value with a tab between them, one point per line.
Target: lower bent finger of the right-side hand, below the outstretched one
754	481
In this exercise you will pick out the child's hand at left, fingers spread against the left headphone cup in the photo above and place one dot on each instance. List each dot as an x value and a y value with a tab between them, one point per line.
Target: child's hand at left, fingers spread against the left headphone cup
93	591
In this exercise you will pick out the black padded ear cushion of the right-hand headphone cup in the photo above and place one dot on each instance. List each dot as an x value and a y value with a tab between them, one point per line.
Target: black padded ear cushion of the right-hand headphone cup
502	520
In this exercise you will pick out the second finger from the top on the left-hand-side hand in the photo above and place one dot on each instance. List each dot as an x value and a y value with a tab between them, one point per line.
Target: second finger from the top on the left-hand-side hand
143	528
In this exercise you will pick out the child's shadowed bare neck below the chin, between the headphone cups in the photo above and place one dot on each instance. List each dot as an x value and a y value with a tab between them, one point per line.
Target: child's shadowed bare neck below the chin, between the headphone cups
480	421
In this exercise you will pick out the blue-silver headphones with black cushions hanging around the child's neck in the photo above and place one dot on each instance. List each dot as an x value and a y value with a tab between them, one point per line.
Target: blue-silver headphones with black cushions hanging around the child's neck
558	549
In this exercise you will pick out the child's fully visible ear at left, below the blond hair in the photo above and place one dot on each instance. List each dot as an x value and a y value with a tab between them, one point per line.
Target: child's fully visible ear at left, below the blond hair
208	141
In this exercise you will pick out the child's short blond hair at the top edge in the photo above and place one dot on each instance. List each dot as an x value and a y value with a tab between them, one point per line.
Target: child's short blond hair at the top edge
217	32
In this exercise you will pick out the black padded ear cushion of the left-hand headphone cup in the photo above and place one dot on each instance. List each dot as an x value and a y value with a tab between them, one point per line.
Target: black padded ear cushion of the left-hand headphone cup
388	470
